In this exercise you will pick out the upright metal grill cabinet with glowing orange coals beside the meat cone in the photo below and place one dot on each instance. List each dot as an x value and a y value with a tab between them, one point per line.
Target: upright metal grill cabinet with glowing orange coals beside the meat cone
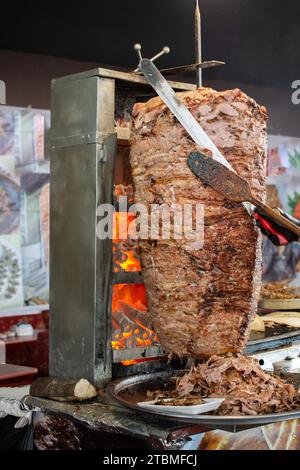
85	144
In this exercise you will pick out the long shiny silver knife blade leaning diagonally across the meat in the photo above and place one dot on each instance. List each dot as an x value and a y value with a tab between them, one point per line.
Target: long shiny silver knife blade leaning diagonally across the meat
186	119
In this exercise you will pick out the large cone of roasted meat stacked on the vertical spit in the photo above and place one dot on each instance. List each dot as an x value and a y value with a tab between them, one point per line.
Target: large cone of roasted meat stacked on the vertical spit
201	300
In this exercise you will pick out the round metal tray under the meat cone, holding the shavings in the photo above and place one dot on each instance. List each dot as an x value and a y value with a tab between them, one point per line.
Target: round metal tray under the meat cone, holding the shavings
131	390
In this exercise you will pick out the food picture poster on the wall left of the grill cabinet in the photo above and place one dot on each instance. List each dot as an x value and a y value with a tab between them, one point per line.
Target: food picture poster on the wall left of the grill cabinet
24	214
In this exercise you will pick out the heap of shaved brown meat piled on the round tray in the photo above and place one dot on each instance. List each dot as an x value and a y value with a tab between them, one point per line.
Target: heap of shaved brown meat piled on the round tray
247	389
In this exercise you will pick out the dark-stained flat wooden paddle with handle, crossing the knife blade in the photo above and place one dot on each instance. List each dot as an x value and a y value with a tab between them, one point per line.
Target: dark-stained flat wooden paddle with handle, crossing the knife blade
233	187
